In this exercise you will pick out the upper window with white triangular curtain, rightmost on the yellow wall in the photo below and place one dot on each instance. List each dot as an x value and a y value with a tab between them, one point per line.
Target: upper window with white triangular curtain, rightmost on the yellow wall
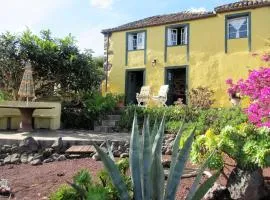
237	27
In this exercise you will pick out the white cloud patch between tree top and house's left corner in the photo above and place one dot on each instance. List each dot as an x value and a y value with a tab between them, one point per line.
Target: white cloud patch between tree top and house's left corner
92	39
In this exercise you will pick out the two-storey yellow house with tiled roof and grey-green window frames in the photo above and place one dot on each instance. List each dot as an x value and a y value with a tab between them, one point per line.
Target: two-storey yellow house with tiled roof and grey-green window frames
186	50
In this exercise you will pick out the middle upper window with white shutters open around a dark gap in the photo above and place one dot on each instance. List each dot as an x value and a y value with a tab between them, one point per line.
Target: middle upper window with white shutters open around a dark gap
177	36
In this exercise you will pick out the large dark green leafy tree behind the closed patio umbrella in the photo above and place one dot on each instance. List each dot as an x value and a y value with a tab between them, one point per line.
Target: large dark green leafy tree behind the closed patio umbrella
58	65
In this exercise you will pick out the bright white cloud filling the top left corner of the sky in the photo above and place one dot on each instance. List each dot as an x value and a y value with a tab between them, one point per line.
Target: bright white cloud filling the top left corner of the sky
15	15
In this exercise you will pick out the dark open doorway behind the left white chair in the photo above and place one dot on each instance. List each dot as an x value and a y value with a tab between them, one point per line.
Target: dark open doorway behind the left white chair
134	82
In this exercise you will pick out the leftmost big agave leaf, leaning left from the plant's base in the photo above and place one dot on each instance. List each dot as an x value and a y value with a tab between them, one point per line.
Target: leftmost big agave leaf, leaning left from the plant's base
114	174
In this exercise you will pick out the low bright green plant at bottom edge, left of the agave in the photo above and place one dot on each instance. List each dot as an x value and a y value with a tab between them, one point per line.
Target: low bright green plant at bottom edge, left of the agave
82	188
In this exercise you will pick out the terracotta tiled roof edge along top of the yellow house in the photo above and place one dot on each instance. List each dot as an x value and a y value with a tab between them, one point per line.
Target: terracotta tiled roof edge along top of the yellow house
184	16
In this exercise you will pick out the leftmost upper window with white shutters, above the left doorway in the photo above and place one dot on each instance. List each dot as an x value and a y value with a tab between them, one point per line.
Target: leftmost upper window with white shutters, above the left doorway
136	41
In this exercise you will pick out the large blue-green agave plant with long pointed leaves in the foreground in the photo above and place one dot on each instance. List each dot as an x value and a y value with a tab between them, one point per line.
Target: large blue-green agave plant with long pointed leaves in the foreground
146	168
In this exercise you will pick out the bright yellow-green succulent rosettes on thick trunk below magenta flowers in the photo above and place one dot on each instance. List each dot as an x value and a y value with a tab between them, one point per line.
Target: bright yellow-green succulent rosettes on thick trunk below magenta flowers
247	145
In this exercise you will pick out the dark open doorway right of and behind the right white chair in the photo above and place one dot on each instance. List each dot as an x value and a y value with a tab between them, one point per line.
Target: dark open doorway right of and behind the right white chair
176	78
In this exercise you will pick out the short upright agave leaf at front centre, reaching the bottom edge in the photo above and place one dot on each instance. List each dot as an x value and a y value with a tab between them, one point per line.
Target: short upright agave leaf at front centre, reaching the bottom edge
158	178
